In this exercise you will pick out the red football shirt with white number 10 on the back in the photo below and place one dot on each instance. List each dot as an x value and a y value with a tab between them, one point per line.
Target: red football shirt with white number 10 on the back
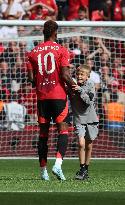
46	60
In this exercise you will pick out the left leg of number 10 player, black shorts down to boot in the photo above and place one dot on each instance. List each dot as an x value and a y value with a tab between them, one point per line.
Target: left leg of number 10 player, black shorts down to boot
44	123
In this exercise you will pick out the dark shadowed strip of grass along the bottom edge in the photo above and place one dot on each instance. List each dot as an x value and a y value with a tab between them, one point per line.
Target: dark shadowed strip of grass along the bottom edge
60	198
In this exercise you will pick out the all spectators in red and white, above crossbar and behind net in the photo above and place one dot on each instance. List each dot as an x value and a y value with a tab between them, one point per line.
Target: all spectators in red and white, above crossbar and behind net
105	57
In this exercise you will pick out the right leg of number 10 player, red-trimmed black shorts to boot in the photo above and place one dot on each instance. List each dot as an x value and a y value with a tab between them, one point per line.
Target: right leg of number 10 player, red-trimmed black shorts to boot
60	117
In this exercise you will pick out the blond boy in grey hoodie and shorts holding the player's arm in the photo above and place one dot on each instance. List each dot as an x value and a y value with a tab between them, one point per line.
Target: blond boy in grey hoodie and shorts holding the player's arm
85	118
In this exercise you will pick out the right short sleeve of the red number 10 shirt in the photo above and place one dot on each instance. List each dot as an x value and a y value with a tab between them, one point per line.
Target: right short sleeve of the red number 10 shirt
65	57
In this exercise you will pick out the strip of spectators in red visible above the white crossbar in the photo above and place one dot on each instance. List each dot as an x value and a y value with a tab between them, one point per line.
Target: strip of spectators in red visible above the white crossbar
94	10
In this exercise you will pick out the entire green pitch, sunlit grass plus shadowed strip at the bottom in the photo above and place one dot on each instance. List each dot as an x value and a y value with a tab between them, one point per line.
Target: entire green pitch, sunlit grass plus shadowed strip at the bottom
19	177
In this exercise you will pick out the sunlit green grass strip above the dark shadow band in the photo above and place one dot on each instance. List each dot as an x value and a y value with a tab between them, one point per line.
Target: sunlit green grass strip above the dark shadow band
23	175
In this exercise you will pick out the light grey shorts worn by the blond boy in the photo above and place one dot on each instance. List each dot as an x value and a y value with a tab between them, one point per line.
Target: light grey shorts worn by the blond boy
88	131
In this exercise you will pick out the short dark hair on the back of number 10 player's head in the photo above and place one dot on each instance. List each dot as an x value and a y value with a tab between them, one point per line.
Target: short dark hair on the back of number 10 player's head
50	27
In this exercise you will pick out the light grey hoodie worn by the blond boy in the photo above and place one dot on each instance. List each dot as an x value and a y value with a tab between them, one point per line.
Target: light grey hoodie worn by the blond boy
82	104
